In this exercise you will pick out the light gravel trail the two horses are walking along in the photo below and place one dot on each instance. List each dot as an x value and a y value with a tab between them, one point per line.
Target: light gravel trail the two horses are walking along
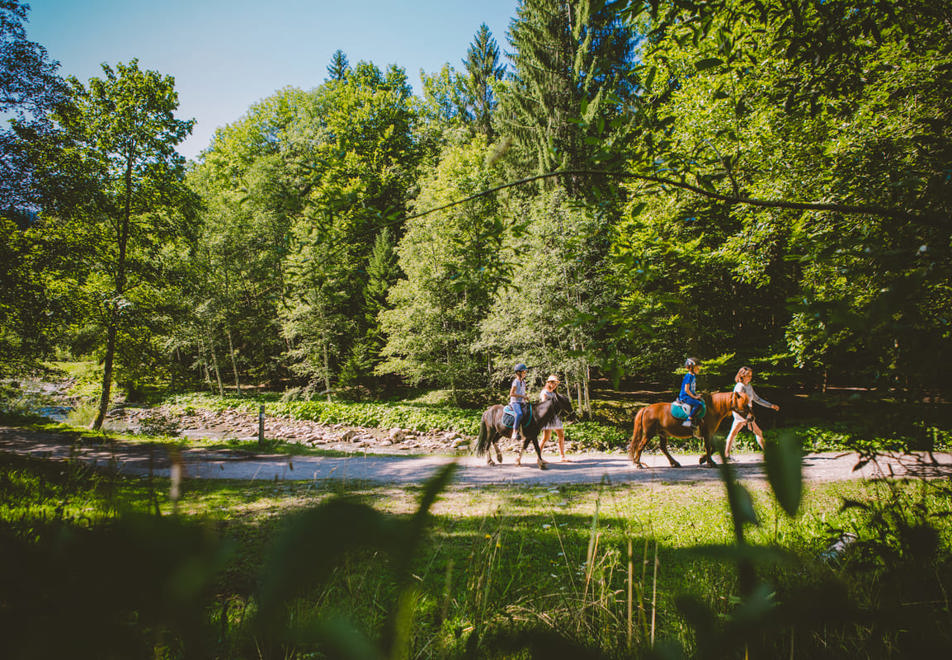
133	459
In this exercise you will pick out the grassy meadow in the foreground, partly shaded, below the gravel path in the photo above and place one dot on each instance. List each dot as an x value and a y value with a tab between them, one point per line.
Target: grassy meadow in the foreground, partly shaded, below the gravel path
606	571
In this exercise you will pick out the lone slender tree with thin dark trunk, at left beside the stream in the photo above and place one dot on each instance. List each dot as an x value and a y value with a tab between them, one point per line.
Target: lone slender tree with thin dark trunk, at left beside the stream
120	132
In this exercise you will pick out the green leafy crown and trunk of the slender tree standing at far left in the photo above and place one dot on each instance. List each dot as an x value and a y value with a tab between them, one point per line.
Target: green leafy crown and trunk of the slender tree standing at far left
121	215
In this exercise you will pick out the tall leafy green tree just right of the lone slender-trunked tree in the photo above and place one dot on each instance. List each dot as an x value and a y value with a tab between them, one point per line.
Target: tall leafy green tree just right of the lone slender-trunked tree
252	181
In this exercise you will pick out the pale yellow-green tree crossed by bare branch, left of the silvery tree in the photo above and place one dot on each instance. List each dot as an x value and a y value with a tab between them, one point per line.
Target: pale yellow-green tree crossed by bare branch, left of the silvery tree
454	262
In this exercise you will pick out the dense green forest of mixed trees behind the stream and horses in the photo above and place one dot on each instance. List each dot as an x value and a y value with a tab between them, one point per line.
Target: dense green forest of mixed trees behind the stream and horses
619	185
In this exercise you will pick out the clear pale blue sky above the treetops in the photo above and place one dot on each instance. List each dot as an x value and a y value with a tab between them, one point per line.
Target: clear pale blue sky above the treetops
226	55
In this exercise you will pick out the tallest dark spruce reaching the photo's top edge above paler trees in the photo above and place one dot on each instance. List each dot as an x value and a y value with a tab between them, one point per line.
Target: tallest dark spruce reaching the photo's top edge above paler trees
571	64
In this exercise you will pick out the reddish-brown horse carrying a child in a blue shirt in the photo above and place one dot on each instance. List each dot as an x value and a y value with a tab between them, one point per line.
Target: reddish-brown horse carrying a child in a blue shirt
656	419
